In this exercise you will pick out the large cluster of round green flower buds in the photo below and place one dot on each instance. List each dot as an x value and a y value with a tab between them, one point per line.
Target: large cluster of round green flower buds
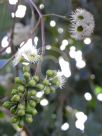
23	101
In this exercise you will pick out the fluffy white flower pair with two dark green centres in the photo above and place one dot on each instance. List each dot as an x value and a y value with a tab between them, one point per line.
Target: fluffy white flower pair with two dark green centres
82	24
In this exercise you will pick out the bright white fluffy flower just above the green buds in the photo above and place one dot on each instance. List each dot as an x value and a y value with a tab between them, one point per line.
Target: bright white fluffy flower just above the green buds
27	53
